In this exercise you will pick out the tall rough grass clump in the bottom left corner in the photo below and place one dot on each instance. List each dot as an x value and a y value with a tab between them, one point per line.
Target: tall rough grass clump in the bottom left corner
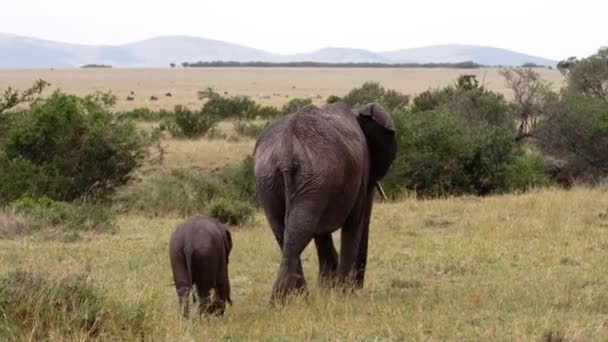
36	306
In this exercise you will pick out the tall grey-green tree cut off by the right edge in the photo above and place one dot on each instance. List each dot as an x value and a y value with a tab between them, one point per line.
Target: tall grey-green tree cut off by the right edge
575	126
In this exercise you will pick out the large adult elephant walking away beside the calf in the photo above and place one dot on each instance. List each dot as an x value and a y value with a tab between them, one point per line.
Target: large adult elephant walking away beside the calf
315	172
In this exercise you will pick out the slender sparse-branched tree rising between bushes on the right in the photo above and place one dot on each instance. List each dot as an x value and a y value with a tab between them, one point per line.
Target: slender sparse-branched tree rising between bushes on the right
529	93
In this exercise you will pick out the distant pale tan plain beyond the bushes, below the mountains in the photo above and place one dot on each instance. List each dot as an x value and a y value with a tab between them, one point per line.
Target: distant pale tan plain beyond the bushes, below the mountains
254	82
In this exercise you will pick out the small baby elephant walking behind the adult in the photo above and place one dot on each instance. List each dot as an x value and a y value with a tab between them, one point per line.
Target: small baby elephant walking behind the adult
199	250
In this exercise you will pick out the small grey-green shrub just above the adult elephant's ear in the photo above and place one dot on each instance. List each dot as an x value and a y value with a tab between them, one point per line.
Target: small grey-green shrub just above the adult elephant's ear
392	100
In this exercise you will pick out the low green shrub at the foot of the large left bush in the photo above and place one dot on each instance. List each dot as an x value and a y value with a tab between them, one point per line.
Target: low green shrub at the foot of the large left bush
46	214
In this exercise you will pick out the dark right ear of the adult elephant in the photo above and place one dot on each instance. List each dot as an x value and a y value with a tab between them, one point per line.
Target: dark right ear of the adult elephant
379	130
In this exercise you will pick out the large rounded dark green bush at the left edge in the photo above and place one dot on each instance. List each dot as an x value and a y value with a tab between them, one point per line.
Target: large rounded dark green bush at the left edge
69	147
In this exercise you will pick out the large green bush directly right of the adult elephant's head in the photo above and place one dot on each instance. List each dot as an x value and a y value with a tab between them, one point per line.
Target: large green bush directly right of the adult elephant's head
440	153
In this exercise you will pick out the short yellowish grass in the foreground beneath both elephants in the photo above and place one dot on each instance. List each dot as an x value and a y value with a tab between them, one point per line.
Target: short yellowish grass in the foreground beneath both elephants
513	267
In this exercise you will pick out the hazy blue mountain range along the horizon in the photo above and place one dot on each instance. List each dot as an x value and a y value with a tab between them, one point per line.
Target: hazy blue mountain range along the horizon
26	52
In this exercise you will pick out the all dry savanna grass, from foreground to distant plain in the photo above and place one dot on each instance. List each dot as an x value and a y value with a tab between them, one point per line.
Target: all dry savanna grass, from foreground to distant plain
521	266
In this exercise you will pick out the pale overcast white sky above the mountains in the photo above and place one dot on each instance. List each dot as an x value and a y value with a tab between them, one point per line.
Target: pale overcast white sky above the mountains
553	29
